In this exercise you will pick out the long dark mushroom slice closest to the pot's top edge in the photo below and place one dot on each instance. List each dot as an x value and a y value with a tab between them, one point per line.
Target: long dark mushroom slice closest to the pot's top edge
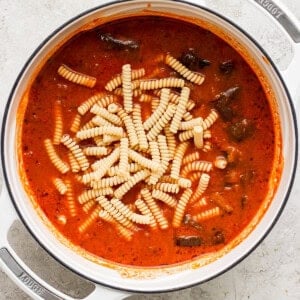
119	43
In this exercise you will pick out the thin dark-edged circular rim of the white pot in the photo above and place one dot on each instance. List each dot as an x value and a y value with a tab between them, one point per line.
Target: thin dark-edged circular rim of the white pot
61	28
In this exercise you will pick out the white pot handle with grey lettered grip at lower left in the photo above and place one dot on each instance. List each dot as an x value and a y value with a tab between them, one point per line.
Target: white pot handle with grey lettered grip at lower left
22	276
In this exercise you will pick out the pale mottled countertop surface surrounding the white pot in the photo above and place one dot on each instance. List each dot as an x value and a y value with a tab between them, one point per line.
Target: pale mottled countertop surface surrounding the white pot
272	271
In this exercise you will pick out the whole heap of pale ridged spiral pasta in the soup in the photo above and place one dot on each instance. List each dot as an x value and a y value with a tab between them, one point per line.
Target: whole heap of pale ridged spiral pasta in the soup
124	150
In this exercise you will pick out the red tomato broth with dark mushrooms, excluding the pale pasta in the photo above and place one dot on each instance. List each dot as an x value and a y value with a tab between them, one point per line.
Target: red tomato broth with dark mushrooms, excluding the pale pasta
243	136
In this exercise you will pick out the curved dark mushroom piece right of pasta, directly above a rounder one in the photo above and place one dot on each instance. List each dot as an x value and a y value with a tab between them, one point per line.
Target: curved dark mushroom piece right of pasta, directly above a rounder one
222	103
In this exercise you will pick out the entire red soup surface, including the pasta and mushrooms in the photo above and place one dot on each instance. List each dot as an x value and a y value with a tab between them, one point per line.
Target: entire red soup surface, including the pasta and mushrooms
189	158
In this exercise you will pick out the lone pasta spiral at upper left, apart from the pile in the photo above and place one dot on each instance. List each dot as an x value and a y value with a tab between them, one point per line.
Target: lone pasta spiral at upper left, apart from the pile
76	77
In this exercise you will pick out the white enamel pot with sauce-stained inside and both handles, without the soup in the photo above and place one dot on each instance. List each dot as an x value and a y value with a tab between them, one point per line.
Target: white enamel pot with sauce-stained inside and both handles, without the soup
112	281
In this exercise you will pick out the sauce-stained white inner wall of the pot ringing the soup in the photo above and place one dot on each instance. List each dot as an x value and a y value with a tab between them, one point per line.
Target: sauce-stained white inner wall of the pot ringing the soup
174	276
